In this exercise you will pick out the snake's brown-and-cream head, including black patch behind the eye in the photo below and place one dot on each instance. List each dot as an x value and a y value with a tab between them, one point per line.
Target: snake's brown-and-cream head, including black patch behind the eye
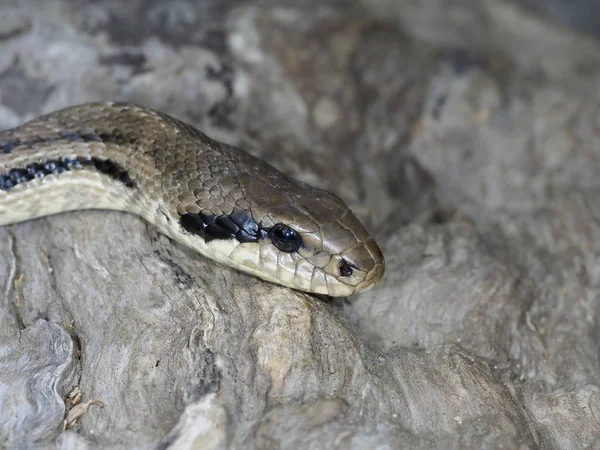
267	224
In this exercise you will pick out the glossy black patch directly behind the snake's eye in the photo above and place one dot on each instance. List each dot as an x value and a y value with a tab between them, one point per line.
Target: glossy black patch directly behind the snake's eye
238	225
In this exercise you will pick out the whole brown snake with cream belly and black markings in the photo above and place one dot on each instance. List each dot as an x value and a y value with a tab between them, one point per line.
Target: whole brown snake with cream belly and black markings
217	199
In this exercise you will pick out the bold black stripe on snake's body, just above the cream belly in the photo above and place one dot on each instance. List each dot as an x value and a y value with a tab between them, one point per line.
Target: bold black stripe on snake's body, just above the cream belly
12	177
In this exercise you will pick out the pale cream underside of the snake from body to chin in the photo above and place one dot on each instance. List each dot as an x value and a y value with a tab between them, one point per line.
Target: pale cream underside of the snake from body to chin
76	190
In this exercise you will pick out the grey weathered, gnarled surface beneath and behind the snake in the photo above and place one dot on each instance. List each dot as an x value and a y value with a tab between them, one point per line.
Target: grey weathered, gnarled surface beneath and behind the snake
466	138
